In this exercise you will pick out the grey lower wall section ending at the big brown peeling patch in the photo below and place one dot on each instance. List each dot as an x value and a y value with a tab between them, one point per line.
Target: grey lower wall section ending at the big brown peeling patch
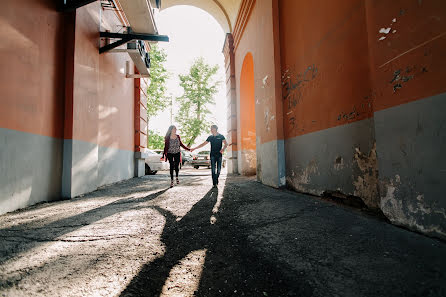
340	159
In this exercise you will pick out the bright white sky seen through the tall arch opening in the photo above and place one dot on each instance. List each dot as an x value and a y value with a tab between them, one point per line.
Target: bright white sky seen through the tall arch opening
192	33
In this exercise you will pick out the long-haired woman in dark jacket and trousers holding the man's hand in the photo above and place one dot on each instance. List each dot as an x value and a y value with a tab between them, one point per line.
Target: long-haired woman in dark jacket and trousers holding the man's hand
172	151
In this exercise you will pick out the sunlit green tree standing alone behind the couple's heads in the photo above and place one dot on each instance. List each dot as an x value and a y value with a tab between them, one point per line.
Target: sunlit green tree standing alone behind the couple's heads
199	86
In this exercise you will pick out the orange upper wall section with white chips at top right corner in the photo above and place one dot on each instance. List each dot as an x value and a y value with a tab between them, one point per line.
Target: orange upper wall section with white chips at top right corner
410	63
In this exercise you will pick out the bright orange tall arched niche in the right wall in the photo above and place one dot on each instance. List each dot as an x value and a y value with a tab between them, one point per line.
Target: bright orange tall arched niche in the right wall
248	156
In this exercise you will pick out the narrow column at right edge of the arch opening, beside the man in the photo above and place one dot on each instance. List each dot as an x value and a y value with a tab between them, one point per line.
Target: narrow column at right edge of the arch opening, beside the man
231	95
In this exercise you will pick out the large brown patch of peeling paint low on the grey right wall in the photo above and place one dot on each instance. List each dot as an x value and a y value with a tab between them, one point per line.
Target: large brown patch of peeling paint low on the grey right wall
366	184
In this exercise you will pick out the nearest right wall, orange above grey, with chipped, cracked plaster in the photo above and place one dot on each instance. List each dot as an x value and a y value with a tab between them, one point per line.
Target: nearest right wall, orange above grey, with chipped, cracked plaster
392	77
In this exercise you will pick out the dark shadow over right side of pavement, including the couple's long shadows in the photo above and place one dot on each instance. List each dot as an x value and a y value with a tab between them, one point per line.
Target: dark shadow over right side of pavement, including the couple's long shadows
267	242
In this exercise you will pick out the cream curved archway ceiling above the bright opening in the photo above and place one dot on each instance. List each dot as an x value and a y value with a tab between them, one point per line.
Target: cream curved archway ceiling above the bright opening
224	11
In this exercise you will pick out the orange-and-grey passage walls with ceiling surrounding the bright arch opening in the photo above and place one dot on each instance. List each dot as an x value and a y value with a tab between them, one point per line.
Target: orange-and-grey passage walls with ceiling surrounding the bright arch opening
317	110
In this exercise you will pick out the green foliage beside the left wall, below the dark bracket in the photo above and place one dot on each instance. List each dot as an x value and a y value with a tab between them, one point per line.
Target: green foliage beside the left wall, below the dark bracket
156	91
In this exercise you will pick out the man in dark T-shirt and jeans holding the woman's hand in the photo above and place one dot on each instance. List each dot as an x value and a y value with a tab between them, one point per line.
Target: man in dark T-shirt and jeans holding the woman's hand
217	140
